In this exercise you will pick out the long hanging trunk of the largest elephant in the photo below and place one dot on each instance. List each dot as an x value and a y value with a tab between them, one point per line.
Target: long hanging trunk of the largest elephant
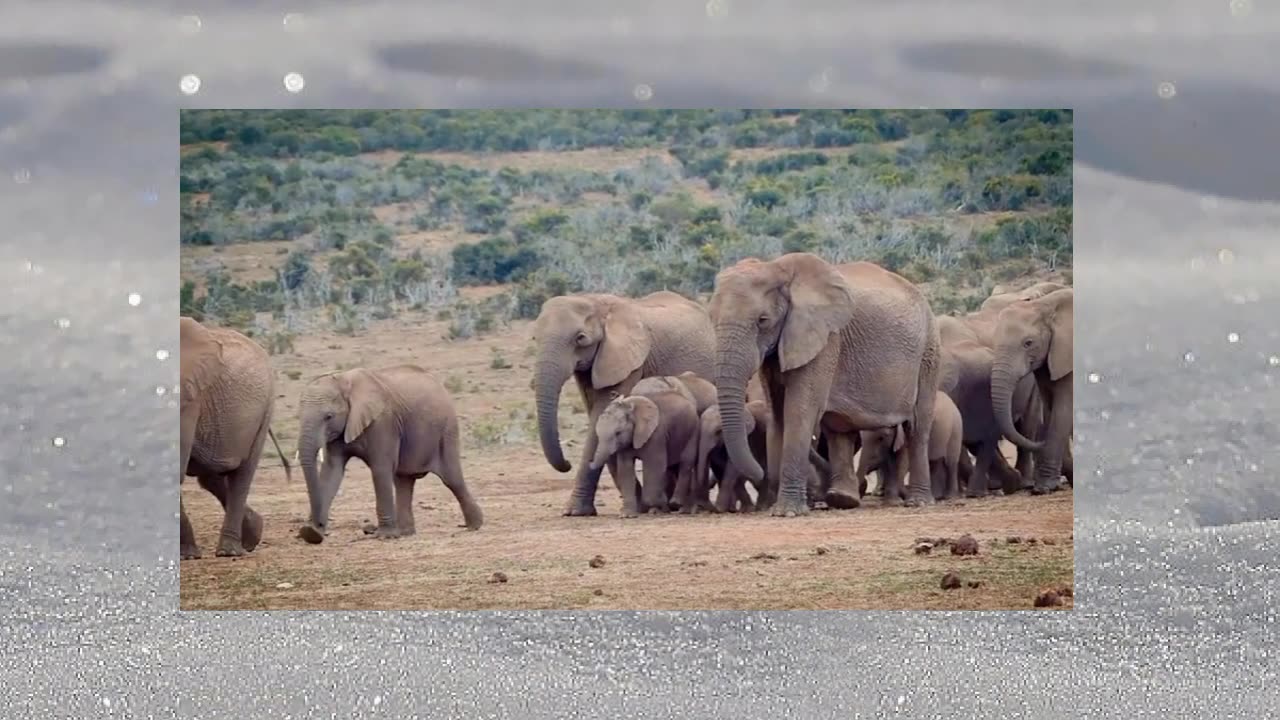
737	358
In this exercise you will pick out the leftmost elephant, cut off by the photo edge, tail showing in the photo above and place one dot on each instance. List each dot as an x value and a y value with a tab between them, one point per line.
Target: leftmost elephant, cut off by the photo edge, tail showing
228	394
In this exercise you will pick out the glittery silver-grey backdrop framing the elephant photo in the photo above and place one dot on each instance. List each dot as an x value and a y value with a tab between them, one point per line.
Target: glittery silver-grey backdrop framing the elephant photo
1178	149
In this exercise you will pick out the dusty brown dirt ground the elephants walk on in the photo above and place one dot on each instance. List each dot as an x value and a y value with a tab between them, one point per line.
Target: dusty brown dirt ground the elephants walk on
831	560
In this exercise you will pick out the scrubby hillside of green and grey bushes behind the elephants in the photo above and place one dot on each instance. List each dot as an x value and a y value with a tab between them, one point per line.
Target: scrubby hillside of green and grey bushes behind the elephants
300	220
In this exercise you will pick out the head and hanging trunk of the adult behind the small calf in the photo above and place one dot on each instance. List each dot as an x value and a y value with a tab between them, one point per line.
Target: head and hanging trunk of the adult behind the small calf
598	338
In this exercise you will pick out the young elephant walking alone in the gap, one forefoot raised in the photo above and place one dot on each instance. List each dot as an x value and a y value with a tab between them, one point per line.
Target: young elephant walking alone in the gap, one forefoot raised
400	421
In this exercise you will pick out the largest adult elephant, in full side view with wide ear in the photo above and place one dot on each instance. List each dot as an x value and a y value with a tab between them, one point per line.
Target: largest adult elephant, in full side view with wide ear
840	349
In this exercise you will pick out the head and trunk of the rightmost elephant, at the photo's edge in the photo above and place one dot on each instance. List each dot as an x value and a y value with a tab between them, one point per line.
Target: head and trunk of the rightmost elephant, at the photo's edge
1032	336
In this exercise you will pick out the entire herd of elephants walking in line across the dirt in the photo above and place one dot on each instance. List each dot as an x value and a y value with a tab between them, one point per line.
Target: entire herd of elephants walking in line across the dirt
793	368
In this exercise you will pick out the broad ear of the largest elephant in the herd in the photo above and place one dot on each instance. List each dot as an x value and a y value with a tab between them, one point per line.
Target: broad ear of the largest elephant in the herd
822	303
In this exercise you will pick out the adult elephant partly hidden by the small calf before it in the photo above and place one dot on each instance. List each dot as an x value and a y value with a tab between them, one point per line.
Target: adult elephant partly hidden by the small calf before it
607	344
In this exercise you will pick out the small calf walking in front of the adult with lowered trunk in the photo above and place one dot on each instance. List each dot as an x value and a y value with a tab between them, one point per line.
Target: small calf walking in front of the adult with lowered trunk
661	431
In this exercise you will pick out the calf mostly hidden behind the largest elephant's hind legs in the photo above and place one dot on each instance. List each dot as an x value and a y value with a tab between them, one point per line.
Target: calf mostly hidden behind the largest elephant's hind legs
884	452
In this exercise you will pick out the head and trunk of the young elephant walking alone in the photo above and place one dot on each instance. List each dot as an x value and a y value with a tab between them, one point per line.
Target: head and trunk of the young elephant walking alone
335	408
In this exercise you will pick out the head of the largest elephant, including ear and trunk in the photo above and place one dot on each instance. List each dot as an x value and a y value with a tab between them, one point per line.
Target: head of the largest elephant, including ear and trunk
788	309
